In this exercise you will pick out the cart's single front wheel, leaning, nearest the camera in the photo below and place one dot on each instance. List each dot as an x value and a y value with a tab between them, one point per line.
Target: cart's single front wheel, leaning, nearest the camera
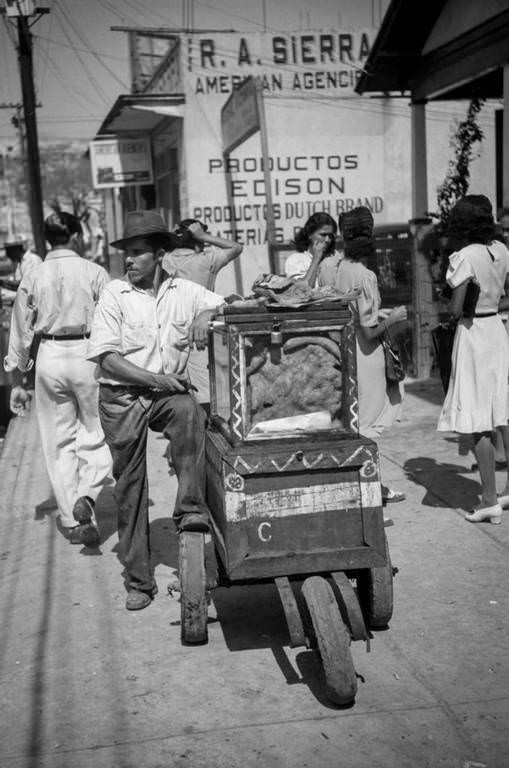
333	640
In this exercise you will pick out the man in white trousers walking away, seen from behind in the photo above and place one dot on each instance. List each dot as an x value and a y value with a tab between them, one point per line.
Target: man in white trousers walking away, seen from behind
54	306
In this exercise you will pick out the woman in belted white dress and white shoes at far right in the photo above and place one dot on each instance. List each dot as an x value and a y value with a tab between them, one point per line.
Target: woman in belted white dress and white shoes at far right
476	400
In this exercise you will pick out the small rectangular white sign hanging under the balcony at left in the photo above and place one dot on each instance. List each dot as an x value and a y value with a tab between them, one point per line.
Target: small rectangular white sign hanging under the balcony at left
120	162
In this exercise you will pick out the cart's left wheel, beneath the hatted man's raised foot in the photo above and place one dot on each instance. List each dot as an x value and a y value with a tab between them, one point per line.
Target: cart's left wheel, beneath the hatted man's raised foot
193	603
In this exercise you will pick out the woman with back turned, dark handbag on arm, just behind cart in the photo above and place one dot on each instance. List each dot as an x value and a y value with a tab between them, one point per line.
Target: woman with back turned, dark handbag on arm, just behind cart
379	399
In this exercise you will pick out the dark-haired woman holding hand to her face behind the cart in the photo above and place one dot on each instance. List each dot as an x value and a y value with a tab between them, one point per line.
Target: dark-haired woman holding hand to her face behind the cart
315	244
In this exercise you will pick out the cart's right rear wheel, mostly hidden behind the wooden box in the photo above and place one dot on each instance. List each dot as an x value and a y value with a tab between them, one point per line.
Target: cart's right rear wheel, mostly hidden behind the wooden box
376	593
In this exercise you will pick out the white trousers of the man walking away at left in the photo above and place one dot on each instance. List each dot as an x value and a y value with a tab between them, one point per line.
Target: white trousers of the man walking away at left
67	395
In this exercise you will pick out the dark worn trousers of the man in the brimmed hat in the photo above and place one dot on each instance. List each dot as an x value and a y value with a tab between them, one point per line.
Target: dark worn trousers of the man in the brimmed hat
126	415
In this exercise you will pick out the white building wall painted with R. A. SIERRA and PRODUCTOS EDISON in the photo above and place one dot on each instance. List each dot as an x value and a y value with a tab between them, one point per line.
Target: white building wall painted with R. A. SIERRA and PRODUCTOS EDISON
324	152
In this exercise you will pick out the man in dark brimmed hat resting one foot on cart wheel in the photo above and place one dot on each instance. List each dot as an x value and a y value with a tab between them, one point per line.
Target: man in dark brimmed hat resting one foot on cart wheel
143	329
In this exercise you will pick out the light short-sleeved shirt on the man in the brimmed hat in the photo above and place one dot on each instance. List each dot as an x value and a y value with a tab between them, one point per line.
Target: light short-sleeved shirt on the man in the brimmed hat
147	330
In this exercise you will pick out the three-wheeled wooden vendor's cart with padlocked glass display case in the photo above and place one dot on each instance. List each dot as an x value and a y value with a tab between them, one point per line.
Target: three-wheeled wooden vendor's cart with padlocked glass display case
302	508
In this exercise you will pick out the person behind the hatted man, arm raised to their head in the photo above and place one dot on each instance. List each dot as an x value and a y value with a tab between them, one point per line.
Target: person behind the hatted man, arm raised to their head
199	256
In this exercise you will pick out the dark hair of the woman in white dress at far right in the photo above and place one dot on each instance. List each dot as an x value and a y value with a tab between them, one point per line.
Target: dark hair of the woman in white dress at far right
471	221
